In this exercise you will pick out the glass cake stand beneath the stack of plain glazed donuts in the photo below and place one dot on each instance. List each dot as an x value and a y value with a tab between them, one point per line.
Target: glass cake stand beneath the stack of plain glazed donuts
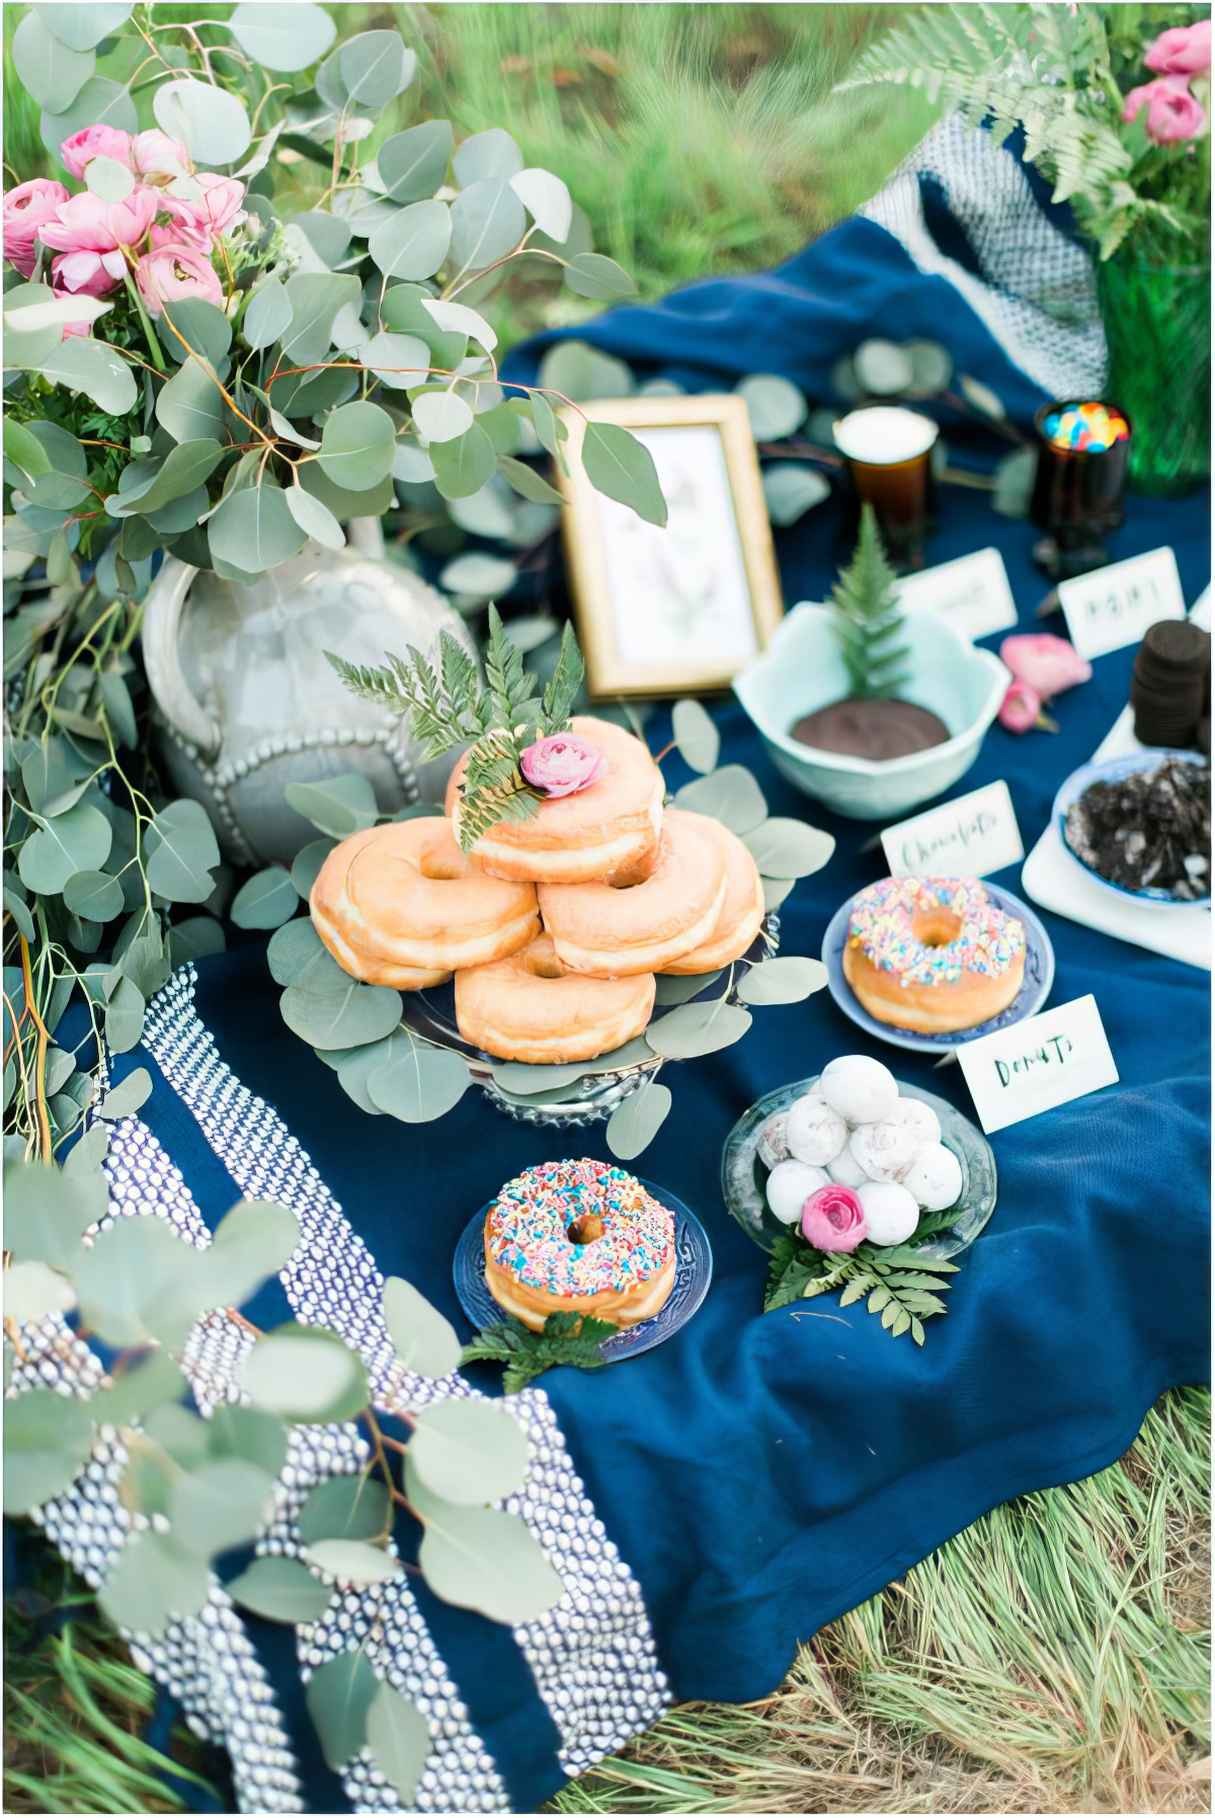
583	1092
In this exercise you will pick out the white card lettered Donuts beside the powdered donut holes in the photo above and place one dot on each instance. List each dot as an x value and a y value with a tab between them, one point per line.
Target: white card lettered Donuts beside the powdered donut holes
1038	1064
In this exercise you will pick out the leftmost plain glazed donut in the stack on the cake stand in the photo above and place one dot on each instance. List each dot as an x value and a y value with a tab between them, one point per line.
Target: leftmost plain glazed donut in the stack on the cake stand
403	906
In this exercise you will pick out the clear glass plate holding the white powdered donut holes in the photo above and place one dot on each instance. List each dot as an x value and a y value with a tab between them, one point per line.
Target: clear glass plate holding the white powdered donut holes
745	1175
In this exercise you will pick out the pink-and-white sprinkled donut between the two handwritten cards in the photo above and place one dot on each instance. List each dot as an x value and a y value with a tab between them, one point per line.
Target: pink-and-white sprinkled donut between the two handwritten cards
934	954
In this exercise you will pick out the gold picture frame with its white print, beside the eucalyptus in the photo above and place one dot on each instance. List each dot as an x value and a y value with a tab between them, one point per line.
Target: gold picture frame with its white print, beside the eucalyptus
676	612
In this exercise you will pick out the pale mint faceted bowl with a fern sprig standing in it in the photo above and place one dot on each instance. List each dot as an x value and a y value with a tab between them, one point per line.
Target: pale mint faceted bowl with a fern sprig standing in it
803	670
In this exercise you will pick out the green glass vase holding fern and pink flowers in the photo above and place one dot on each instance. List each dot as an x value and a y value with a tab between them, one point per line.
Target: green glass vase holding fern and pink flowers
1160	335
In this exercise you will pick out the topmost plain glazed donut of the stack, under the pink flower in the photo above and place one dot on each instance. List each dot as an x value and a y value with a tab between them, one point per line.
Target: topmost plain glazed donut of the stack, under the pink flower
605	832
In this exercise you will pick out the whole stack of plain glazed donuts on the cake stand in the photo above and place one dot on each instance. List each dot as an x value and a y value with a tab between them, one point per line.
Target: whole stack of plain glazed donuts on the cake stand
554	926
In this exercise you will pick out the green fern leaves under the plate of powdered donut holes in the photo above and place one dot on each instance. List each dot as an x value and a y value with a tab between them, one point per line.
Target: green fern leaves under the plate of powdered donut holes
899	1283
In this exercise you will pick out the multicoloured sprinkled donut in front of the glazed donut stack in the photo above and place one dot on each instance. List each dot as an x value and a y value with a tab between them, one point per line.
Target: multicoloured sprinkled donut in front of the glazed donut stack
579	1237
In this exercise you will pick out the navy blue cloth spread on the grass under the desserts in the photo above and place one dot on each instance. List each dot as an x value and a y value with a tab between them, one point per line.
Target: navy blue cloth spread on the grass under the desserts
763	1473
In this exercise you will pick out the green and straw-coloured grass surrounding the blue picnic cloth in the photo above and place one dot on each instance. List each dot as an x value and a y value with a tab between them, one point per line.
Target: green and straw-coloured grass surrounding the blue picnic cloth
1054	1657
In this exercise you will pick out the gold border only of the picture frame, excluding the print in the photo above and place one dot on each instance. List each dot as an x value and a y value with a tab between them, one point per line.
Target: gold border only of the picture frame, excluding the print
585	554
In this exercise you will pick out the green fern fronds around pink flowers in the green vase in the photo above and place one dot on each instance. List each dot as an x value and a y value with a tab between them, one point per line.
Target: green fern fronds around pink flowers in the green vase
1059	74
